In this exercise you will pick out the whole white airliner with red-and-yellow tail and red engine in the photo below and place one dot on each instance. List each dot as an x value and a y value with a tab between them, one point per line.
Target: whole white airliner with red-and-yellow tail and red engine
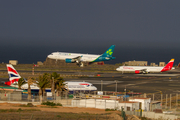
146	69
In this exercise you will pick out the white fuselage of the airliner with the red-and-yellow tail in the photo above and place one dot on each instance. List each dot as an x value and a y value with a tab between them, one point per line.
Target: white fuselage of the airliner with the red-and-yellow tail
135	68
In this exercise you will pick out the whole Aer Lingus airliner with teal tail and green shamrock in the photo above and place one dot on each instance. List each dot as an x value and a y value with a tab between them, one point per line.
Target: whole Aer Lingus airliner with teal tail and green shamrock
80	58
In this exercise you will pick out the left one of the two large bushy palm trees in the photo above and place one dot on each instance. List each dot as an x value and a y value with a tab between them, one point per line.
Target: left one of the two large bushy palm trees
43	82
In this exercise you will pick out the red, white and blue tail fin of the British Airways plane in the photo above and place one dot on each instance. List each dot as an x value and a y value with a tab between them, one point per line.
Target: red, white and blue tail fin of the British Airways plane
13	75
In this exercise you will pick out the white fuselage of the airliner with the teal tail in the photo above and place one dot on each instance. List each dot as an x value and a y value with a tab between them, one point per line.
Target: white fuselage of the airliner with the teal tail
64	55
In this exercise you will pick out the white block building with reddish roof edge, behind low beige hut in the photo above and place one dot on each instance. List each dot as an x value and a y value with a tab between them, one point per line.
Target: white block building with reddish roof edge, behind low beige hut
144	103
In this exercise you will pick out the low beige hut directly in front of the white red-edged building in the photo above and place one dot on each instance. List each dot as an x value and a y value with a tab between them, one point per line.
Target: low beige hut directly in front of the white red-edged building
129	105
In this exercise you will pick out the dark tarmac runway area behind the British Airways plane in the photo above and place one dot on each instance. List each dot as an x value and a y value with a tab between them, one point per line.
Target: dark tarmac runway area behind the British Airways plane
142	83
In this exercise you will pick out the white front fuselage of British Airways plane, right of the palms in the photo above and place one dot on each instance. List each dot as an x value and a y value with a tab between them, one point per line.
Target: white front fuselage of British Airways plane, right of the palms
84	86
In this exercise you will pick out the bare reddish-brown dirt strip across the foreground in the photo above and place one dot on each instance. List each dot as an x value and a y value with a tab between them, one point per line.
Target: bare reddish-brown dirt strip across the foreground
60	109
